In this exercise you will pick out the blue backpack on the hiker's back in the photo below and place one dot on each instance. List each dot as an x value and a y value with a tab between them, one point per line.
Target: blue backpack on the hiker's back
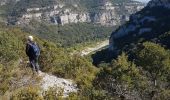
34	49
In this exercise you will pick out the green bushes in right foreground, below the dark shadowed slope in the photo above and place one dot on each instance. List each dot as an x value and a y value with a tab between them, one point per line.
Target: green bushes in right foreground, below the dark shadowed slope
145	76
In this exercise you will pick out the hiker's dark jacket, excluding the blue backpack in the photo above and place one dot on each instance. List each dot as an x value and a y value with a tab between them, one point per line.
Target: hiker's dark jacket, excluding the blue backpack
29	51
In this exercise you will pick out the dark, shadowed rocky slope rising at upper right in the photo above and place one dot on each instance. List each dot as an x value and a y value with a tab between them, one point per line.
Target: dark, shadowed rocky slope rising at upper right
147	24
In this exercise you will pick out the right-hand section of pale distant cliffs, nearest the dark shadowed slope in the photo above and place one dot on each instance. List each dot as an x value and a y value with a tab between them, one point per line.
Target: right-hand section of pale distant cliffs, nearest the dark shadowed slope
115	14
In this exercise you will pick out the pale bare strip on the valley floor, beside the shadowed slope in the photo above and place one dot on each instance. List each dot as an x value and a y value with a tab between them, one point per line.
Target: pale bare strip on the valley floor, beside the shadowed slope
98	46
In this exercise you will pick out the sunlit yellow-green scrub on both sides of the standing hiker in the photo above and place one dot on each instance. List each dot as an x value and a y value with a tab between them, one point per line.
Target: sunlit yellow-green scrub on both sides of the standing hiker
54	59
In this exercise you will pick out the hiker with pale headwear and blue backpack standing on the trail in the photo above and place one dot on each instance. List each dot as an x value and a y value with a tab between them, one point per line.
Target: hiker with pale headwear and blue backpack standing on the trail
33	52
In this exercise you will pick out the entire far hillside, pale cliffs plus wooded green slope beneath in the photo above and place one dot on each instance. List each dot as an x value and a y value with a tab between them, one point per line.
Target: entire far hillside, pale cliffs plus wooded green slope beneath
76	21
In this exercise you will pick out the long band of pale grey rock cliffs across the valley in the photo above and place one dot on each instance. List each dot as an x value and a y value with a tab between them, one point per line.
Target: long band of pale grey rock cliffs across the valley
62	13
